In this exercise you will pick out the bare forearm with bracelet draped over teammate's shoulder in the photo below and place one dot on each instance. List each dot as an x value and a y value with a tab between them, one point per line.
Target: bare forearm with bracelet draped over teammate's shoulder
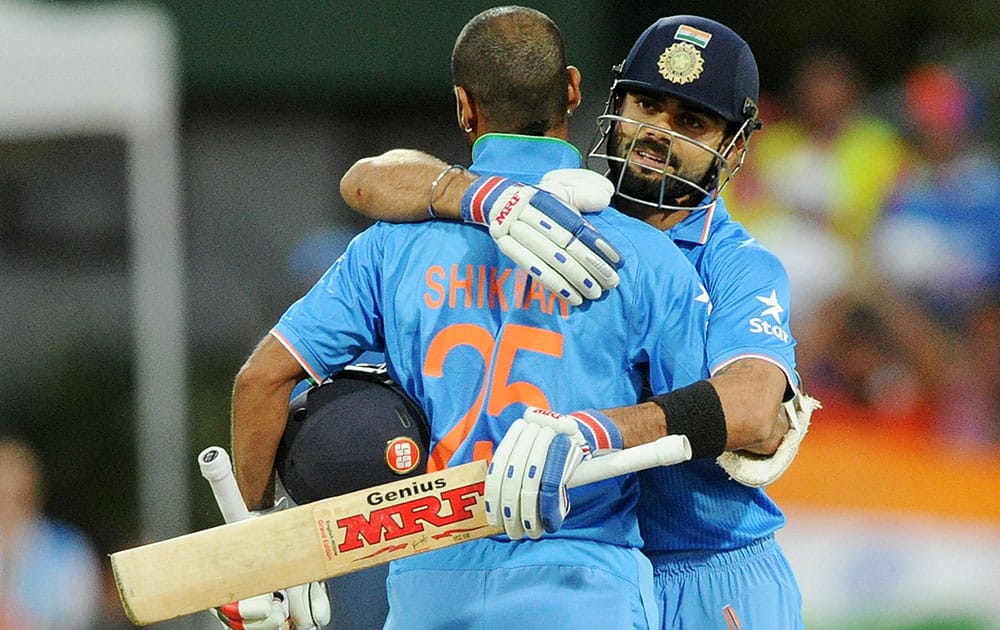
396	186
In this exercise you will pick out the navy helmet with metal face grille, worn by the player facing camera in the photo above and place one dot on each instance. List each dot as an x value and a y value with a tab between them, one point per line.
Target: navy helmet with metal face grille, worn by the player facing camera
704	64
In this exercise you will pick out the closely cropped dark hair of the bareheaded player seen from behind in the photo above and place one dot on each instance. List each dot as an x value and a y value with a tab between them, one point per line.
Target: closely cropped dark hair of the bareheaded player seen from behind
512	61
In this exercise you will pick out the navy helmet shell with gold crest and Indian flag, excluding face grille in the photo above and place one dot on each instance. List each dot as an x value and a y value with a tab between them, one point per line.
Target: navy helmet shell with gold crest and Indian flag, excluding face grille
698	60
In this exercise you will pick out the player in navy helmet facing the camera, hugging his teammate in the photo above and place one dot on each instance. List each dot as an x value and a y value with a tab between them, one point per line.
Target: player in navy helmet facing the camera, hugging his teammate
676	129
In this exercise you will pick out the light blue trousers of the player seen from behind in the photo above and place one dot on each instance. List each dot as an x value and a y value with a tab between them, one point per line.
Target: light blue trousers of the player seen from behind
493	584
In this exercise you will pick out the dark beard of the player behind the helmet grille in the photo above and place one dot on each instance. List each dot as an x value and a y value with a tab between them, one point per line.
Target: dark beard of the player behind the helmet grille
646	184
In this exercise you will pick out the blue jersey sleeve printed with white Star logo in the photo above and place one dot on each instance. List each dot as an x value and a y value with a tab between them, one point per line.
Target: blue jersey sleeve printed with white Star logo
751	304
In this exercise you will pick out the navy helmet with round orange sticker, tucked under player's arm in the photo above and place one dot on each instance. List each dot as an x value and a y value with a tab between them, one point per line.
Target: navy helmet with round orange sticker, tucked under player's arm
356	430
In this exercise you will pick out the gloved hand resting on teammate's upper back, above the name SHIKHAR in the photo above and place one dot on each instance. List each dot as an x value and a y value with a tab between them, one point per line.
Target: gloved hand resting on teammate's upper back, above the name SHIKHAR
545	236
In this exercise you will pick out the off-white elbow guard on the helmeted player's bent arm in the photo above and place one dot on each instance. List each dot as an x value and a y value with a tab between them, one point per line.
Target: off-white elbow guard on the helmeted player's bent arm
757	471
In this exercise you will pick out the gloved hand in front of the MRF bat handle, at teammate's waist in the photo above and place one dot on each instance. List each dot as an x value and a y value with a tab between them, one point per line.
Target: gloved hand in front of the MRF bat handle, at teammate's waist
526	483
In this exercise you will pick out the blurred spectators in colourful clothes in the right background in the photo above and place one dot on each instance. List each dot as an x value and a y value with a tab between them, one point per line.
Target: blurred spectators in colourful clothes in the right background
888	221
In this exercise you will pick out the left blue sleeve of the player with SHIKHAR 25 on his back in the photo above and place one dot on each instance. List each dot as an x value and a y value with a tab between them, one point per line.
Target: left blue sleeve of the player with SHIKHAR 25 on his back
339	318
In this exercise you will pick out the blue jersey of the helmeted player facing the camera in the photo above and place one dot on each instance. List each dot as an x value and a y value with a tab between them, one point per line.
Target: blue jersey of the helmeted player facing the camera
695	506
